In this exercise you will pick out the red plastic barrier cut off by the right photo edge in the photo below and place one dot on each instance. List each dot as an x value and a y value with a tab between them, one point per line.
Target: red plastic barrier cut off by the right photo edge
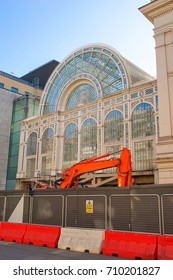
165	247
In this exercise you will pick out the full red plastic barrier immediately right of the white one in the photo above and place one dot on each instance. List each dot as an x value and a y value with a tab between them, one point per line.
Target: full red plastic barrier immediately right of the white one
130	245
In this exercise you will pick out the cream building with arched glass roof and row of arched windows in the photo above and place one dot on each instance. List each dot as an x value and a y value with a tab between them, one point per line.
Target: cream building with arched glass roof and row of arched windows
95	101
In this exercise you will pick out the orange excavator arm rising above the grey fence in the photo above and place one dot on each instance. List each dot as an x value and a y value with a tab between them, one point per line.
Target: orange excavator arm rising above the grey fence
70	176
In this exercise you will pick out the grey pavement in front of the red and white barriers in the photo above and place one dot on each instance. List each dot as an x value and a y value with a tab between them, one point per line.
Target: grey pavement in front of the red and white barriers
17	251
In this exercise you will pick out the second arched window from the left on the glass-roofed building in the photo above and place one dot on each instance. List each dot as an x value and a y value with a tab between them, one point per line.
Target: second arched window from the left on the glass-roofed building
46	150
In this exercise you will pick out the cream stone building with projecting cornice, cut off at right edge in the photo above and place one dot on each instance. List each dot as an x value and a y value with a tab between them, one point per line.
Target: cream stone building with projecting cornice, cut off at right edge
160	14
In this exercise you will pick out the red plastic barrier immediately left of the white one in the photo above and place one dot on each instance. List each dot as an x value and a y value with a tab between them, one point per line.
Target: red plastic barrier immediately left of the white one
42	235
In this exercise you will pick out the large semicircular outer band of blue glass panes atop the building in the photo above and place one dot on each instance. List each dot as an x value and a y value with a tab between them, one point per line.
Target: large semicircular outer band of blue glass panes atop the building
101	66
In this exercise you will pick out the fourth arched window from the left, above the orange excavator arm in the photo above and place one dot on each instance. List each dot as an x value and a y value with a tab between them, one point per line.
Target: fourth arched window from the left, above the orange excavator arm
88	146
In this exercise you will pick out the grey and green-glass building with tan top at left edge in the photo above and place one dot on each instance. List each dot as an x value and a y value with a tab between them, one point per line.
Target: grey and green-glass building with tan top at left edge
11	90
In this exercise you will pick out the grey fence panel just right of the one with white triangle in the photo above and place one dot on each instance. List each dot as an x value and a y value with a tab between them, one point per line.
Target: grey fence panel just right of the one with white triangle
48	209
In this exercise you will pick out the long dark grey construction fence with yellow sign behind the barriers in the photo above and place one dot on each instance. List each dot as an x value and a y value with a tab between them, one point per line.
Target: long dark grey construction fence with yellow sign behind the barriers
140	209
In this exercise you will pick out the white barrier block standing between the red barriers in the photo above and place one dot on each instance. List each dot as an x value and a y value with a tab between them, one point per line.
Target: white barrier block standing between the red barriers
81	240
